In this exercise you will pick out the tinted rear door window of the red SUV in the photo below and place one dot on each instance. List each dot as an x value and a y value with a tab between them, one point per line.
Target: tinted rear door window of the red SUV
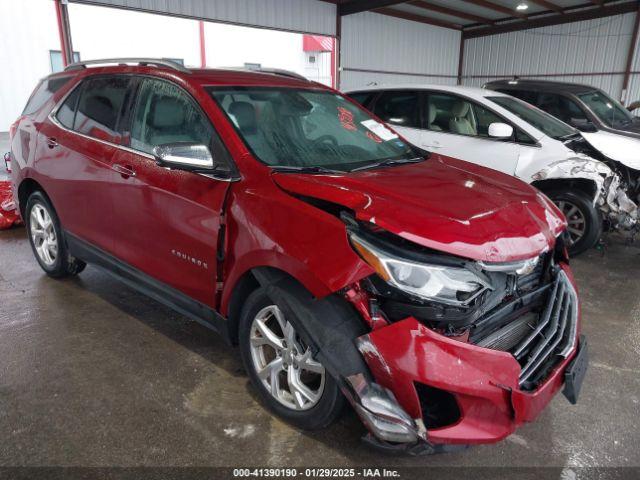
100	107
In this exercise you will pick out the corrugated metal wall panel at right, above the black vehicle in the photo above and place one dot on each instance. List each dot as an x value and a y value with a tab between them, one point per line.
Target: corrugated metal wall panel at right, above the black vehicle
593	46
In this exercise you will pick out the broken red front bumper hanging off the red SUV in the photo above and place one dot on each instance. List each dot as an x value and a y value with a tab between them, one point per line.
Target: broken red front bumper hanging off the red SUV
484	384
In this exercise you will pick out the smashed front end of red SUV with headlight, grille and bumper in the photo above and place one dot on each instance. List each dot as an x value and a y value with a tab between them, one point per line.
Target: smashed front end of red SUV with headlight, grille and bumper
463	352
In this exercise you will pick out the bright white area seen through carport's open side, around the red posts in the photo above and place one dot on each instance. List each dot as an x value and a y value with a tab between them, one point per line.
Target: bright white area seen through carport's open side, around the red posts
28	31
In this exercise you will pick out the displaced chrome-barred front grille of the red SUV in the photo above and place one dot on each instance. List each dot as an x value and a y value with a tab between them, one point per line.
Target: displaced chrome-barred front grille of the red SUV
553	337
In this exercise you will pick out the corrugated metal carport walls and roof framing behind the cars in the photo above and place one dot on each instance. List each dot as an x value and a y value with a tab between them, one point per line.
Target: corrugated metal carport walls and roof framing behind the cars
438	41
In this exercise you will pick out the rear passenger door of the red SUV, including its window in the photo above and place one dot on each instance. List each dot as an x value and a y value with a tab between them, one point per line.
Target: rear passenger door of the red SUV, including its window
77	150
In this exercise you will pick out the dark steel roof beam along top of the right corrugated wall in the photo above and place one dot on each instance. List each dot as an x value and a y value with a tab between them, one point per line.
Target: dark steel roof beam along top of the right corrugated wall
547	21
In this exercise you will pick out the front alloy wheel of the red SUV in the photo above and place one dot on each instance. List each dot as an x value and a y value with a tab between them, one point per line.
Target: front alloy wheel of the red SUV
284	365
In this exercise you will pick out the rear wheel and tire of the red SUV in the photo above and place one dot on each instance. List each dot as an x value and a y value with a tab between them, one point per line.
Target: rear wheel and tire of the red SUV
47	239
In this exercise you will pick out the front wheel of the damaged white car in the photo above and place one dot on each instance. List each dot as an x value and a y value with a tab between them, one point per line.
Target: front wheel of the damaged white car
585	221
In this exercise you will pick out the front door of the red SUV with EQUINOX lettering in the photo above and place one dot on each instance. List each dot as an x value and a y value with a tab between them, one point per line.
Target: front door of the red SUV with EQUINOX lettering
167	221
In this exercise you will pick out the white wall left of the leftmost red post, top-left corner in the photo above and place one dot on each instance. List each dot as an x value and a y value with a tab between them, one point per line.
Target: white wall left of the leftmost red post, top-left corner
27	32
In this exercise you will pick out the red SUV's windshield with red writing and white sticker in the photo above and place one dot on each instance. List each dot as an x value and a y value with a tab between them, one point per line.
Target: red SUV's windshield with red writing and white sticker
298	129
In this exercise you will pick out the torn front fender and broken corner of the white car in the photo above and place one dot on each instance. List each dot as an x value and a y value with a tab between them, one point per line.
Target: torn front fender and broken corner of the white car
618	210
